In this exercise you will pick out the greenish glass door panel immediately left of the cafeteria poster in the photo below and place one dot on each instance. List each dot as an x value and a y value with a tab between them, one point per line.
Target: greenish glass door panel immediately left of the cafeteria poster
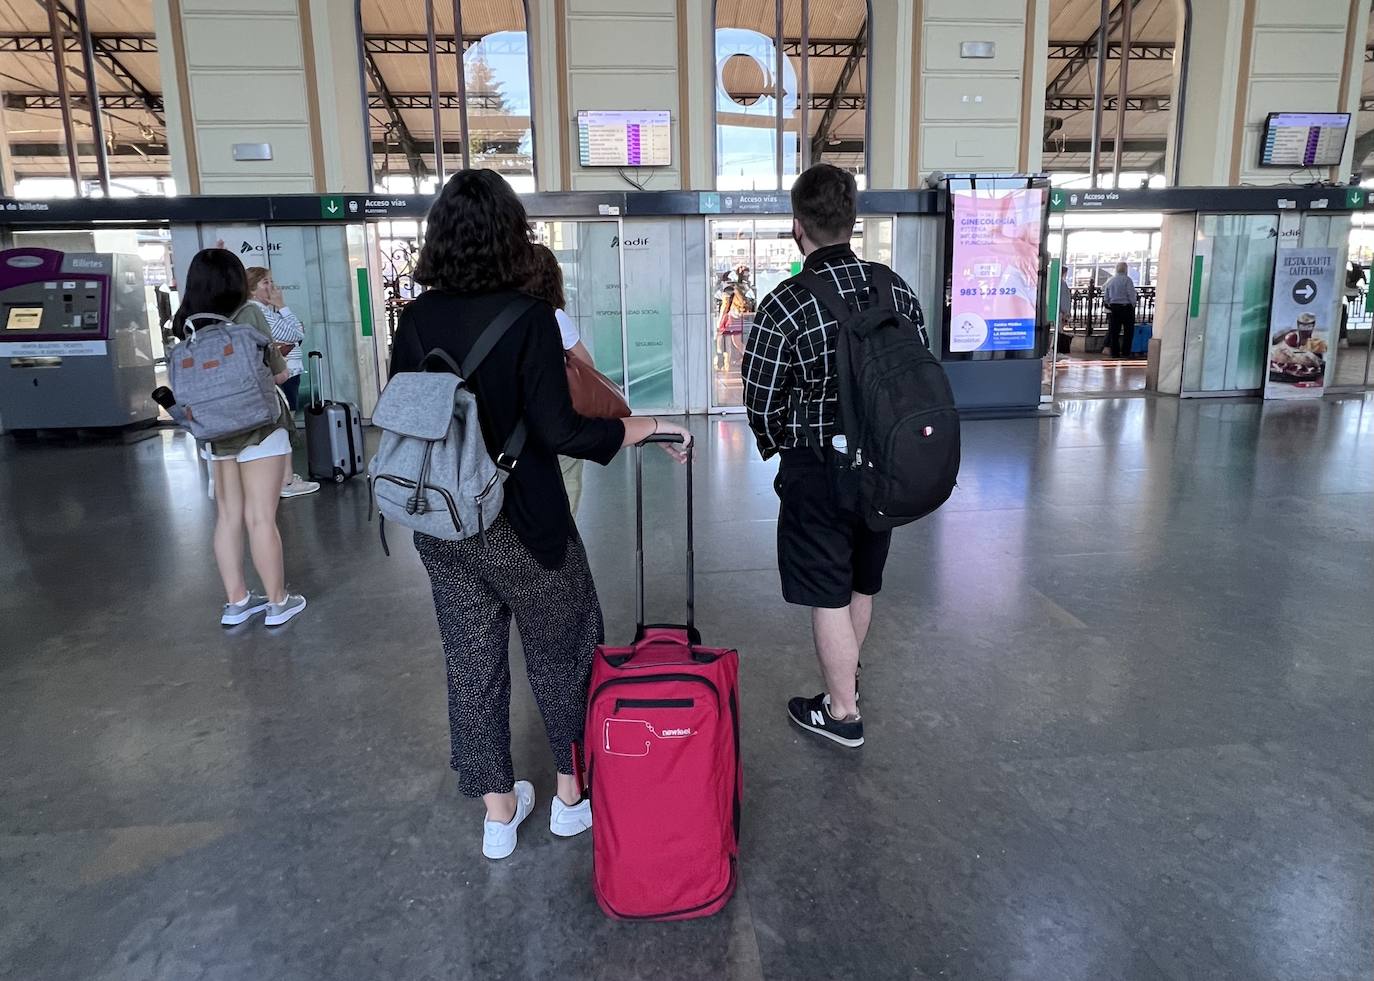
1229	304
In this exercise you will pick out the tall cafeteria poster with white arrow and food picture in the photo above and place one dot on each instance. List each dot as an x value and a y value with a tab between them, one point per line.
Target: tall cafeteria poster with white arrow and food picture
1303	319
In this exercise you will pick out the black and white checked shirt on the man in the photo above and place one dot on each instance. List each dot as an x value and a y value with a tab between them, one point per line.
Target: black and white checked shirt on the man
792	352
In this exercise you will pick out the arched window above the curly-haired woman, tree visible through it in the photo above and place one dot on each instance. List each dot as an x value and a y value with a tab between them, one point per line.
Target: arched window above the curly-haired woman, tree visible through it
428	120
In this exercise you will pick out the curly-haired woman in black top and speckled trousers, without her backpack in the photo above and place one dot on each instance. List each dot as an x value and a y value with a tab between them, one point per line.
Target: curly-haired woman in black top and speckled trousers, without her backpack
477	260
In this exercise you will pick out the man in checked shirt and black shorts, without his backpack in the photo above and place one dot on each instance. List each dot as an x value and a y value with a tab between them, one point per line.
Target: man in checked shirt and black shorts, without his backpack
828	559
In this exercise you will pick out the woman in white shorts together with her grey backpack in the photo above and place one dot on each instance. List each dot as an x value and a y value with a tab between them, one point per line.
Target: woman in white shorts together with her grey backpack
225	380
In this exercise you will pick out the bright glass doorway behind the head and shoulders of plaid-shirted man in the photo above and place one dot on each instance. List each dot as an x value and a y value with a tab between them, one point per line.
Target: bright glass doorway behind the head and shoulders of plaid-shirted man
750	258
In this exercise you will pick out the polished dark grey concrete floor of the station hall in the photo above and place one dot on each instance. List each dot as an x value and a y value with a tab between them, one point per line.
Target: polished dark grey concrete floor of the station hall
1119	703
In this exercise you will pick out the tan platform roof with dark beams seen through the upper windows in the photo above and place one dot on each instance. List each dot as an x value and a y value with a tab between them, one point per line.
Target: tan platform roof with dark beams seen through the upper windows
128	76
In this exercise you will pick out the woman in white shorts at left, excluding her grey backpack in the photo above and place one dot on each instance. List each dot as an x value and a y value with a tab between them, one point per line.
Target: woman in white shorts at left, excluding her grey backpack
248	468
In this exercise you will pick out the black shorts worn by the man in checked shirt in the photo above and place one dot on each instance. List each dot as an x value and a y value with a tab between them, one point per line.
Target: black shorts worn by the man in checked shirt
825	554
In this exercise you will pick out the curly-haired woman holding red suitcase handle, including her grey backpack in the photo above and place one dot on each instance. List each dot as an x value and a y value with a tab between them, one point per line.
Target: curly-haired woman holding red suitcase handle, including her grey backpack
524	561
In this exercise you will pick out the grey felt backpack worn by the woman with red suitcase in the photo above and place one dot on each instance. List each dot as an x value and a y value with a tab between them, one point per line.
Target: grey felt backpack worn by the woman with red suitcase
432	472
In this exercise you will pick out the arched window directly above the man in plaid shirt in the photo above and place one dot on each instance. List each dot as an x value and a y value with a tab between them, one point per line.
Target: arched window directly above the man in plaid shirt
792	80
